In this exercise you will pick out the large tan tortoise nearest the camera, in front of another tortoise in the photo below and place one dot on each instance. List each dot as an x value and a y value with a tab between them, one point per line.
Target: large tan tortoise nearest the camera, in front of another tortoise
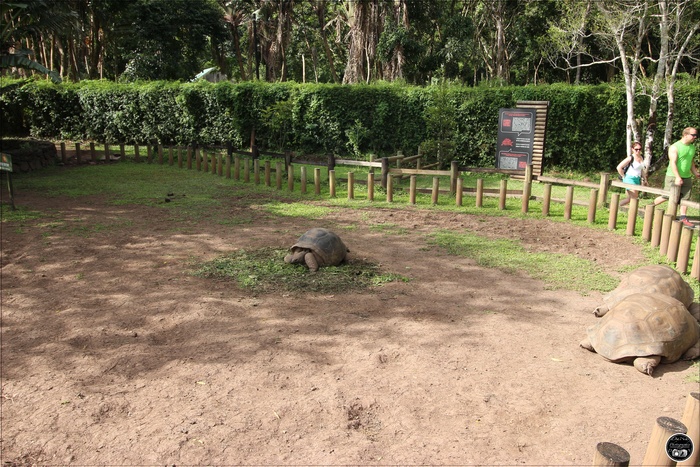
647	329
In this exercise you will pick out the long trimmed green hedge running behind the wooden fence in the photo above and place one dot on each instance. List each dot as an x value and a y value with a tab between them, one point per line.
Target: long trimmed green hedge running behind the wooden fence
585	130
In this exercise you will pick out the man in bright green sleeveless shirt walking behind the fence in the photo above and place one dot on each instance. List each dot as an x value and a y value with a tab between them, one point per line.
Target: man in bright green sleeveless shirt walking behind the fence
681	166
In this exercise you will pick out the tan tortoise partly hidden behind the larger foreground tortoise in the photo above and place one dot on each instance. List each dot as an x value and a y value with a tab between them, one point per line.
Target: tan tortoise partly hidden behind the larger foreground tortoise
648	279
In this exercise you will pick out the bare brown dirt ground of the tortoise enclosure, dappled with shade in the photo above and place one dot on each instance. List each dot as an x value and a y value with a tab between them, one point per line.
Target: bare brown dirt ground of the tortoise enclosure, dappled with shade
114	353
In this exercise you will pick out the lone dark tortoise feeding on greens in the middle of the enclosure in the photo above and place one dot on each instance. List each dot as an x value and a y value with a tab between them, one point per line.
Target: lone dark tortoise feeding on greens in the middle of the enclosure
316	248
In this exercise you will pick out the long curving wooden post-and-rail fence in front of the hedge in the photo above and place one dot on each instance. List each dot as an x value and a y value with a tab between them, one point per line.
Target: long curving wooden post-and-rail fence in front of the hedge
660	228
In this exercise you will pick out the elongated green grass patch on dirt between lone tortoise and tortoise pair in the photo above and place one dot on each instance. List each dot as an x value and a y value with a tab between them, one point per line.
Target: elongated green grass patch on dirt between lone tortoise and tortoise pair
557	270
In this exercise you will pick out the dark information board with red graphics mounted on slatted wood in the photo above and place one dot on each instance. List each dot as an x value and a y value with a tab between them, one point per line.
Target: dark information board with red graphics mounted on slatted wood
516	134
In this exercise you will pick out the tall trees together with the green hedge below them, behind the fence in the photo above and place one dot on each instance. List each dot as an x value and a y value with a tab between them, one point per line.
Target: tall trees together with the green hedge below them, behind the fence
356	76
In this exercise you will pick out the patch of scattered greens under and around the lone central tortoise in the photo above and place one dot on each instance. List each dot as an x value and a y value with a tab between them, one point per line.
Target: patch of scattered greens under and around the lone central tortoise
264	270
